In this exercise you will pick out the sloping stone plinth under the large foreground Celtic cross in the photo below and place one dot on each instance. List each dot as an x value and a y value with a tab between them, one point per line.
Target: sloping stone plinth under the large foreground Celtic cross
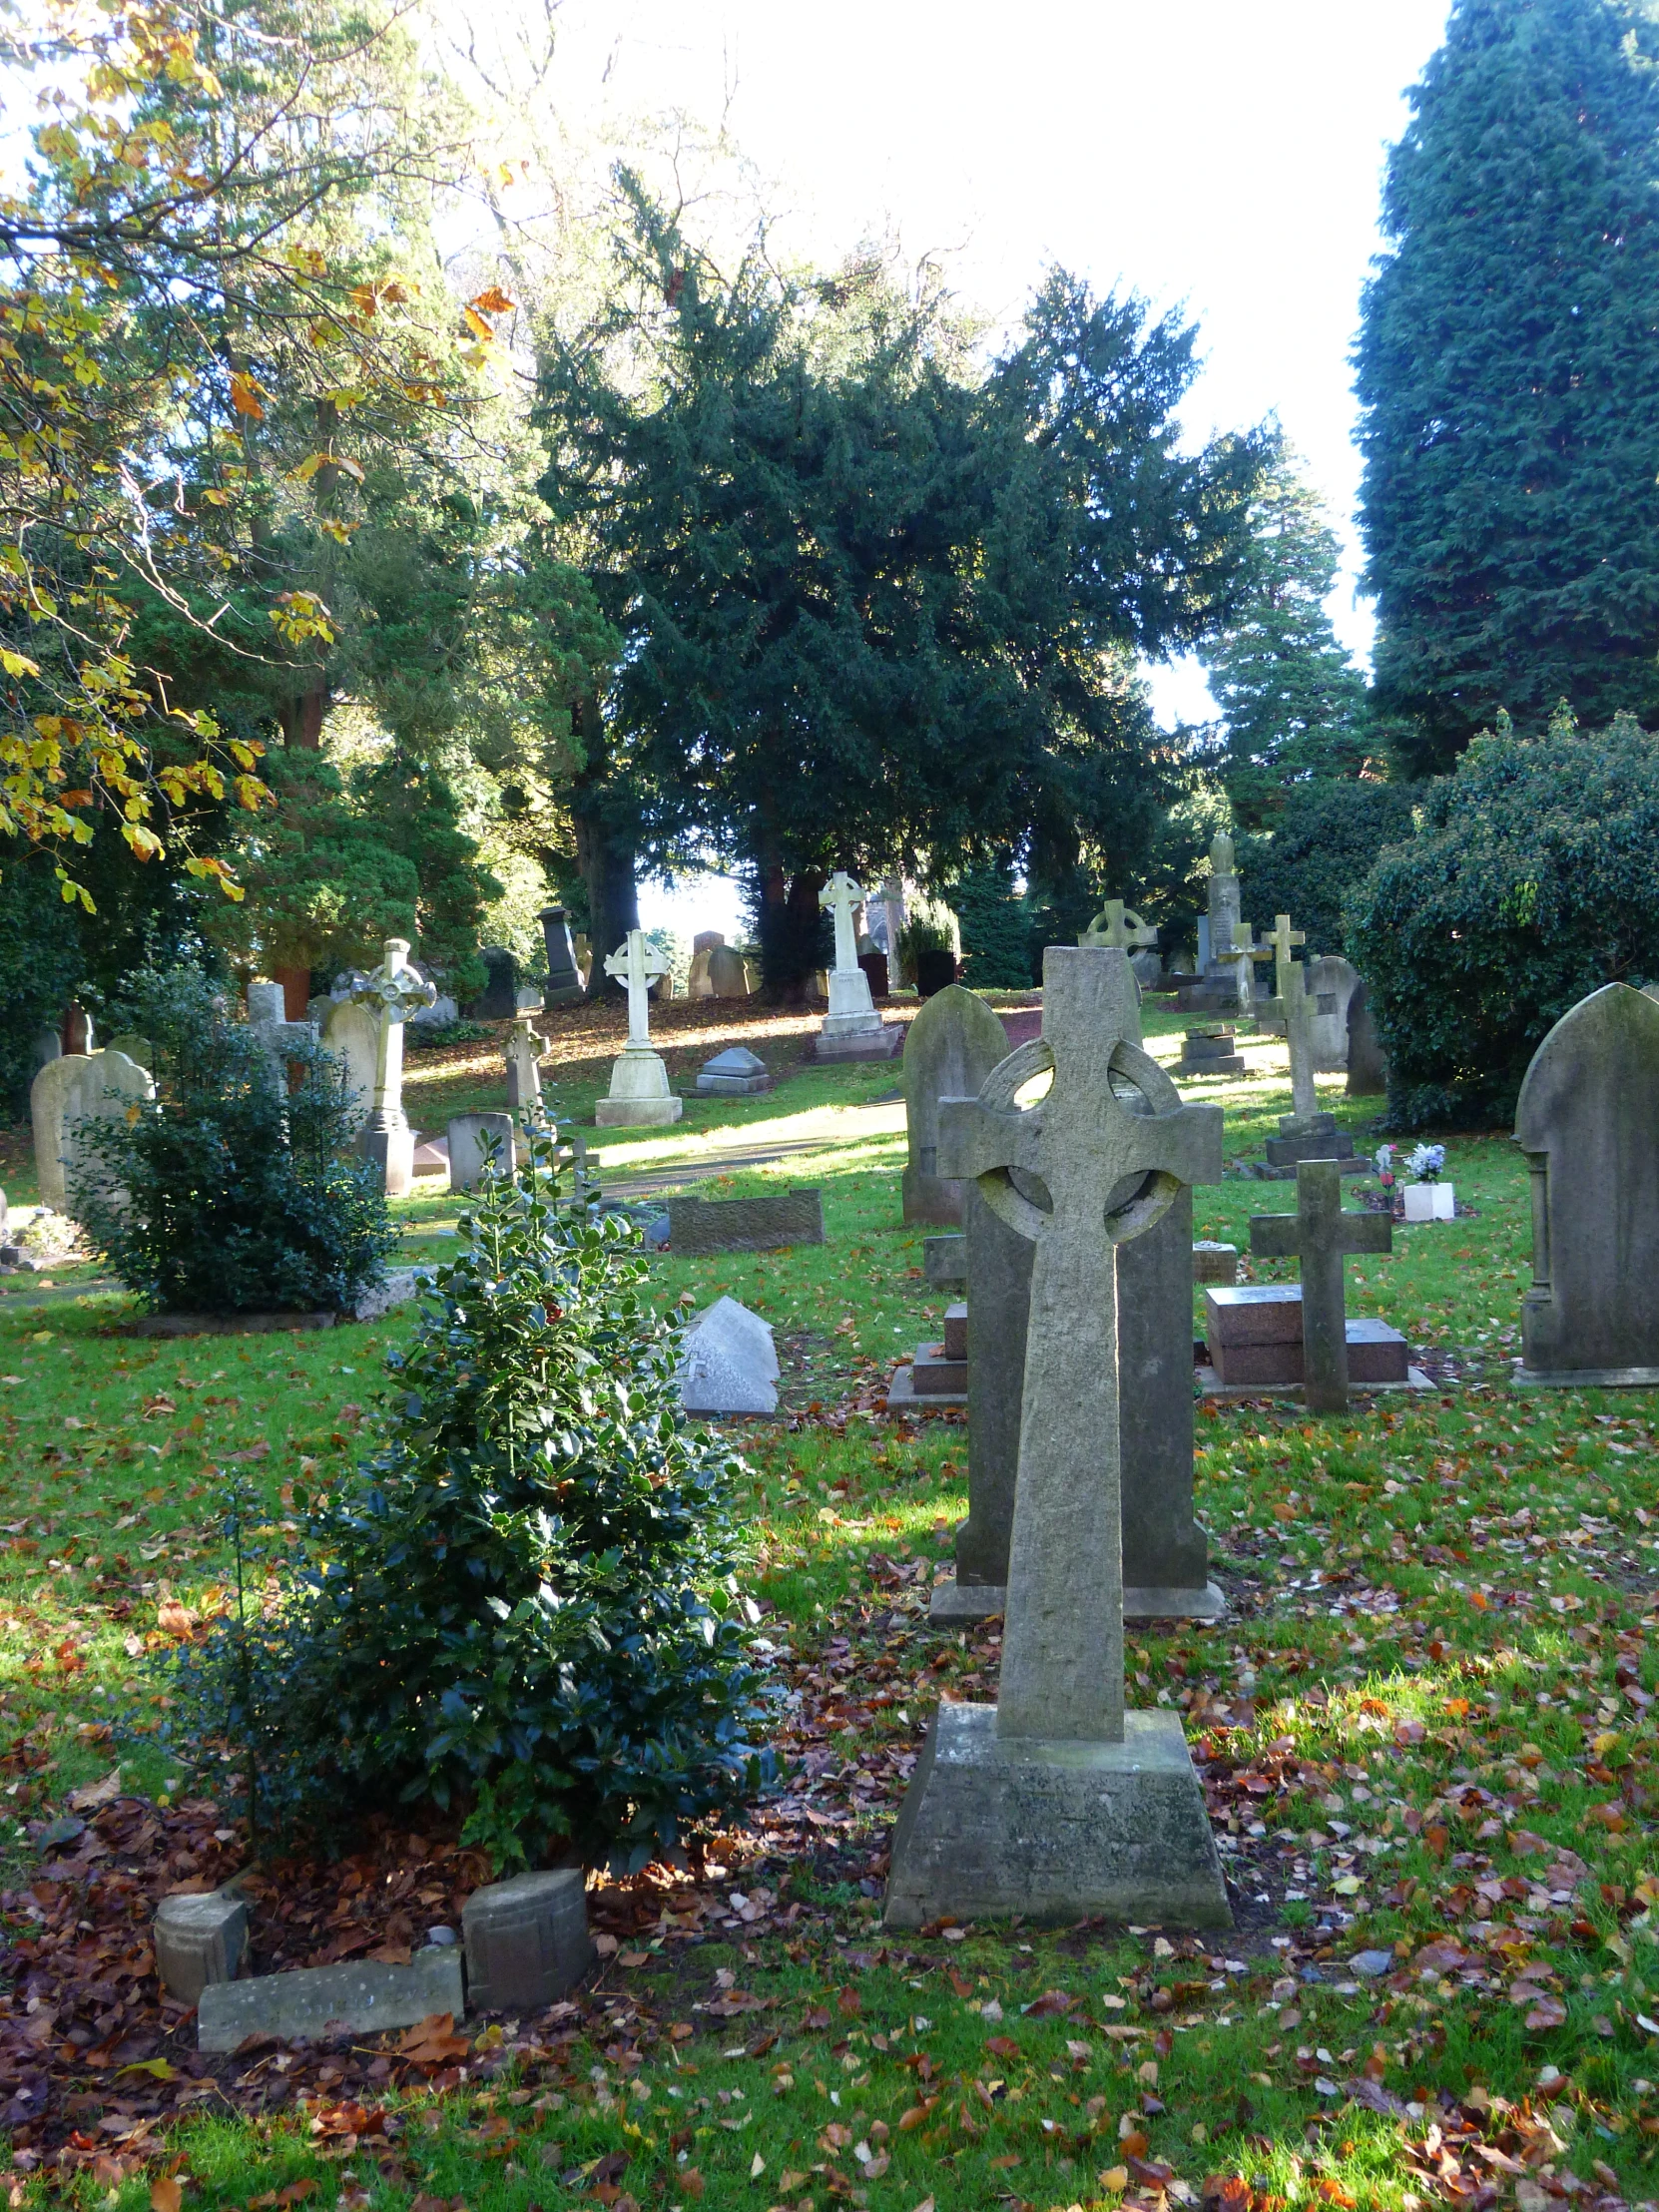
997	1826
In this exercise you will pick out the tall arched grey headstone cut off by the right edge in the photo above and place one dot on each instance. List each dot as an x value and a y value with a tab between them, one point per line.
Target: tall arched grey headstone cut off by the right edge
1592	1138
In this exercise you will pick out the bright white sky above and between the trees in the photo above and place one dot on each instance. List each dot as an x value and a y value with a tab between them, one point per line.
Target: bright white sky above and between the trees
1207	154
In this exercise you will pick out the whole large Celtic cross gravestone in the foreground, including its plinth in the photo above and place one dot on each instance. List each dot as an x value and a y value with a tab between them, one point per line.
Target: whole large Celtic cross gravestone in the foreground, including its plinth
1058	1802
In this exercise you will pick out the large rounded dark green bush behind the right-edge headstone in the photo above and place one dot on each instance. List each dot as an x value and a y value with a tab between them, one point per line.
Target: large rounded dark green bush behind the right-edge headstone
1527	888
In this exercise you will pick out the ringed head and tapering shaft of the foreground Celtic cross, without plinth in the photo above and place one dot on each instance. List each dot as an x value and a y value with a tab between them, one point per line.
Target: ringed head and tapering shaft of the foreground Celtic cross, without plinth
1114	1145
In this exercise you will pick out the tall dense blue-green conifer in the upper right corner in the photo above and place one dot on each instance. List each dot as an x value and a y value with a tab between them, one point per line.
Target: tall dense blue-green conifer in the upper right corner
1510	375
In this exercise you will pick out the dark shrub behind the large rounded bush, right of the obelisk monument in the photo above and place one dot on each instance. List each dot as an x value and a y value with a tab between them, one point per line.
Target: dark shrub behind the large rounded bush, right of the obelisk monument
1324	844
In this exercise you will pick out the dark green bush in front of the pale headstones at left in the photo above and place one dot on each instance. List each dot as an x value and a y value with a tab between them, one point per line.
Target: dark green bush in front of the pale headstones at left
225	1193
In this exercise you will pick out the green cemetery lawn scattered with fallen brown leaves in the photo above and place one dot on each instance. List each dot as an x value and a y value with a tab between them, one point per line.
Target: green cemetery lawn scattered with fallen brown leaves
1426	1735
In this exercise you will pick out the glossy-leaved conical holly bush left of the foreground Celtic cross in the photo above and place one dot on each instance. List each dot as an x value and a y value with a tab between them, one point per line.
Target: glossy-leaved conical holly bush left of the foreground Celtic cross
523	1605
